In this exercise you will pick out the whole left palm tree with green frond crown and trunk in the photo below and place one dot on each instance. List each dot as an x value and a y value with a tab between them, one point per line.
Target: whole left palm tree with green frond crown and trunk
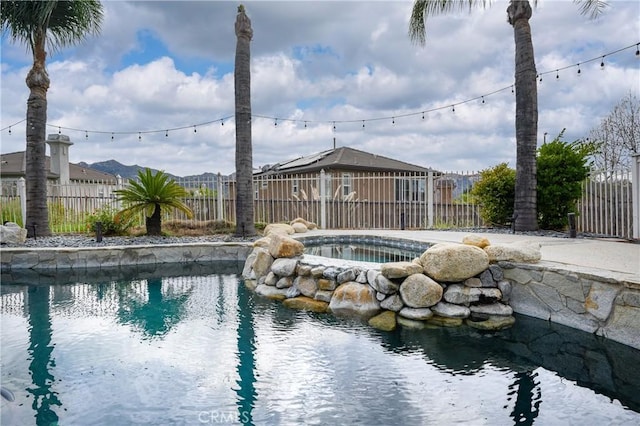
36	23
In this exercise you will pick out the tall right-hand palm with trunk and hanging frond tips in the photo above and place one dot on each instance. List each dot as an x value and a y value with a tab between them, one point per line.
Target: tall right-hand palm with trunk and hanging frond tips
519	13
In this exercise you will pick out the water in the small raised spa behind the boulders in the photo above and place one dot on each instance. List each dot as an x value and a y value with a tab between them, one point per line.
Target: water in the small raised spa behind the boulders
363	252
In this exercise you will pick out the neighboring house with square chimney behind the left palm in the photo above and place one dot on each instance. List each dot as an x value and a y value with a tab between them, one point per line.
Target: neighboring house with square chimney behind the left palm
64	178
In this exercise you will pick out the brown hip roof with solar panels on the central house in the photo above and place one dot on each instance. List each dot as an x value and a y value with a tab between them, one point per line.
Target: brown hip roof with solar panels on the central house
343	158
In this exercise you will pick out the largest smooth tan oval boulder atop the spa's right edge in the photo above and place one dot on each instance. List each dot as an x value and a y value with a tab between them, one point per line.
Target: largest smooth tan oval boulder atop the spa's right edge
449	262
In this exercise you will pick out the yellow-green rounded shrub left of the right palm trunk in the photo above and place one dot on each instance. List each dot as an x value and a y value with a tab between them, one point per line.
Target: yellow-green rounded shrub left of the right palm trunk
495	192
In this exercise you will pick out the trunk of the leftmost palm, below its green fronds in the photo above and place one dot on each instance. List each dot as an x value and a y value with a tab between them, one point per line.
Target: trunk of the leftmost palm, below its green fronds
36	175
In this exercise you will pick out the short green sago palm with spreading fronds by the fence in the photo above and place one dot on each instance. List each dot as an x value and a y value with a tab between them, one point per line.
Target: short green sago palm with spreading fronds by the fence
149	195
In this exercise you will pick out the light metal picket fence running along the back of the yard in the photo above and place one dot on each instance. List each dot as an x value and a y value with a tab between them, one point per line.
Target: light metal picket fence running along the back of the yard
343	201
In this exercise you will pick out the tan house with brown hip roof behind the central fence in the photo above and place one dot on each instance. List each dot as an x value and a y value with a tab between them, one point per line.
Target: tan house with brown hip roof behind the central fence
350	175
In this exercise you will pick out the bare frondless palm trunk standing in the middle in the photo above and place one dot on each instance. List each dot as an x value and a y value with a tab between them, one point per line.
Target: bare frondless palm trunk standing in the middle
244	156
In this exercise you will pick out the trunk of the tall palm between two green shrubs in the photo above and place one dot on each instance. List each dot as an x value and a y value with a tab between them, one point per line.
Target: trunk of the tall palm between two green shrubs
525	211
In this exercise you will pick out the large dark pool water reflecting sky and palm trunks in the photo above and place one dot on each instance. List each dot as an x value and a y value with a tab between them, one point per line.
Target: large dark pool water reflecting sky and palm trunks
191	345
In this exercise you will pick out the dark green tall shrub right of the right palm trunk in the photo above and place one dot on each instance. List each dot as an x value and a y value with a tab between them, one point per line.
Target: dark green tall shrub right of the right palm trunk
561	169
